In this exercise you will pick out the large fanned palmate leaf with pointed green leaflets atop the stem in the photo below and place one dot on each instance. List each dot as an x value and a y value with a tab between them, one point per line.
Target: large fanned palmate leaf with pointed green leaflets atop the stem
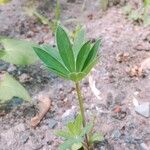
67	61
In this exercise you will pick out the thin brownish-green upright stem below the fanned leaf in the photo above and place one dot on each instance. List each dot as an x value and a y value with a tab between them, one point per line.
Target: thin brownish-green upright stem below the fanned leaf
80	99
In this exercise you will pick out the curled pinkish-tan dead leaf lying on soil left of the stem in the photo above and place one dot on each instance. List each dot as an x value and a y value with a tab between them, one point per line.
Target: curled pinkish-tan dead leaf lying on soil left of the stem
44	106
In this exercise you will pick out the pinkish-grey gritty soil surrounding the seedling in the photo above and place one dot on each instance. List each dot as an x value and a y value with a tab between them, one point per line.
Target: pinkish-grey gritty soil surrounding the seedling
116	119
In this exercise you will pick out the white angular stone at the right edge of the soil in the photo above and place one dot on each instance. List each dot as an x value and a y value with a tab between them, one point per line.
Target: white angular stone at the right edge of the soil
143	109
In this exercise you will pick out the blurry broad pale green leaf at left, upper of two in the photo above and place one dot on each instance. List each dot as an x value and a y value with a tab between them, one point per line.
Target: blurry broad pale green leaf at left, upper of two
18	52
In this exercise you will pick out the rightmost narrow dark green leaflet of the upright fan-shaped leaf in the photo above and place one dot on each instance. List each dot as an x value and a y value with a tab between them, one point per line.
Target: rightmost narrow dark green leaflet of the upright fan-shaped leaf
92	54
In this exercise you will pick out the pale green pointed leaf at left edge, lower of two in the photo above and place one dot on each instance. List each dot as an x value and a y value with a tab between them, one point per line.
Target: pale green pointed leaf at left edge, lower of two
10	88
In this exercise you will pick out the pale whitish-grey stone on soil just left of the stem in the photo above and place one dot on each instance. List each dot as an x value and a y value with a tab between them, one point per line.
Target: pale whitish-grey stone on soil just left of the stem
68	116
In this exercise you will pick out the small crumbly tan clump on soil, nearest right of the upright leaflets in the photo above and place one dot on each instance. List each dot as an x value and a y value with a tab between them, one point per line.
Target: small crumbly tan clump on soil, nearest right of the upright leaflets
122	57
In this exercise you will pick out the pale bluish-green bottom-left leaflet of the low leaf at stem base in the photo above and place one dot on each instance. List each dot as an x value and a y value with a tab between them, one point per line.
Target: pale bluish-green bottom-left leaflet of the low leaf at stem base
68	143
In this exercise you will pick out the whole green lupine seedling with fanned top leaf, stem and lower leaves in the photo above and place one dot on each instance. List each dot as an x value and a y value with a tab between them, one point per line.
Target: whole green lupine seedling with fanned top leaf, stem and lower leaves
72	62
